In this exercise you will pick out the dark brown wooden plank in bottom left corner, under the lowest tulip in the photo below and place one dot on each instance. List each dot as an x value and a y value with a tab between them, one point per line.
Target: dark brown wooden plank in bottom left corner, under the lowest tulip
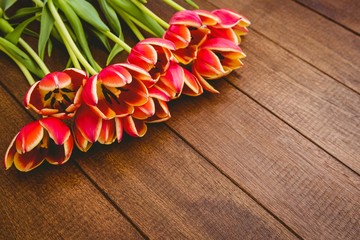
51	202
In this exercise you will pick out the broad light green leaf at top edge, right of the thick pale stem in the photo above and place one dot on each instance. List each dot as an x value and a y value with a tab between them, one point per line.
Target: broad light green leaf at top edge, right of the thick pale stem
88	13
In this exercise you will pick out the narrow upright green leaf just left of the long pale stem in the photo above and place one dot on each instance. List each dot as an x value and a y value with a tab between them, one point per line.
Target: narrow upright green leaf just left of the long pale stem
46	25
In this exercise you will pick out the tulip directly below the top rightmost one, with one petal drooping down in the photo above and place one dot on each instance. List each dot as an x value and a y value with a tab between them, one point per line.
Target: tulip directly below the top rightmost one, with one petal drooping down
216	58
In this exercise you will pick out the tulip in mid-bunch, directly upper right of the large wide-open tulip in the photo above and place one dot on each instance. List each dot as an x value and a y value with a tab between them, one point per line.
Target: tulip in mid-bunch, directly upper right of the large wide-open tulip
153	55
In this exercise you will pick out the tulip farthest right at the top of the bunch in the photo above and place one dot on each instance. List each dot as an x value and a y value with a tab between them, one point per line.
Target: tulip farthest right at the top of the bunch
231	25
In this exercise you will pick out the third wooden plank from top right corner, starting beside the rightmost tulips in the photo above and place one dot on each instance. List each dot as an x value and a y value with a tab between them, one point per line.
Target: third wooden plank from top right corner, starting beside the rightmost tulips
316	105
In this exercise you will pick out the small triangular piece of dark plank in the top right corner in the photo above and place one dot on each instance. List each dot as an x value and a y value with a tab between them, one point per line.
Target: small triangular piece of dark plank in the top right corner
345	12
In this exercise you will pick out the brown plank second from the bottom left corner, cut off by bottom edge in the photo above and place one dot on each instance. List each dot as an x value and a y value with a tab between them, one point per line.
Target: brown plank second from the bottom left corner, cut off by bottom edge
171	192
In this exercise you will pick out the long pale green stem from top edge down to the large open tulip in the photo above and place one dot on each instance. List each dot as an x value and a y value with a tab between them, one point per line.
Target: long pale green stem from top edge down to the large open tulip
67	38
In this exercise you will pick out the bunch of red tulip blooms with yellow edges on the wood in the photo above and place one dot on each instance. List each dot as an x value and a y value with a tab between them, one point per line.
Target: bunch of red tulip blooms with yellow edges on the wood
81	107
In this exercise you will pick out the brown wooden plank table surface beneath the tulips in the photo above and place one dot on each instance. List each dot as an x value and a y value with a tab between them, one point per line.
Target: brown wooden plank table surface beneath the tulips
275	155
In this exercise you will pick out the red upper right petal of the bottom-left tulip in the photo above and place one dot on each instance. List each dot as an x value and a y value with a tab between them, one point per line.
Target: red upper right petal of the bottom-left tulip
58	131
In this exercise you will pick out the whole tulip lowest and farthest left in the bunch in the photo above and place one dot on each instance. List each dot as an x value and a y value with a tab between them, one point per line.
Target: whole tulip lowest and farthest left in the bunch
47	138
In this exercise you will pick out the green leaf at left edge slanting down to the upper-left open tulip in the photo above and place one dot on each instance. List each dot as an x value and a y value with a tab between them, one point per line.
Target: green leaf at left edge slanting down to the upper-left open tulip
21	57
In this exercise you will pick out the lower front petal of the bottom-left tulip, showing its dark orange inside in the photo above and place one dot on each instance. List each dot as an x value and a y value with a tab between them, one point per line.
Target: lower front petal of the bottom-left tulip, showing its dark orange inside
30	160
